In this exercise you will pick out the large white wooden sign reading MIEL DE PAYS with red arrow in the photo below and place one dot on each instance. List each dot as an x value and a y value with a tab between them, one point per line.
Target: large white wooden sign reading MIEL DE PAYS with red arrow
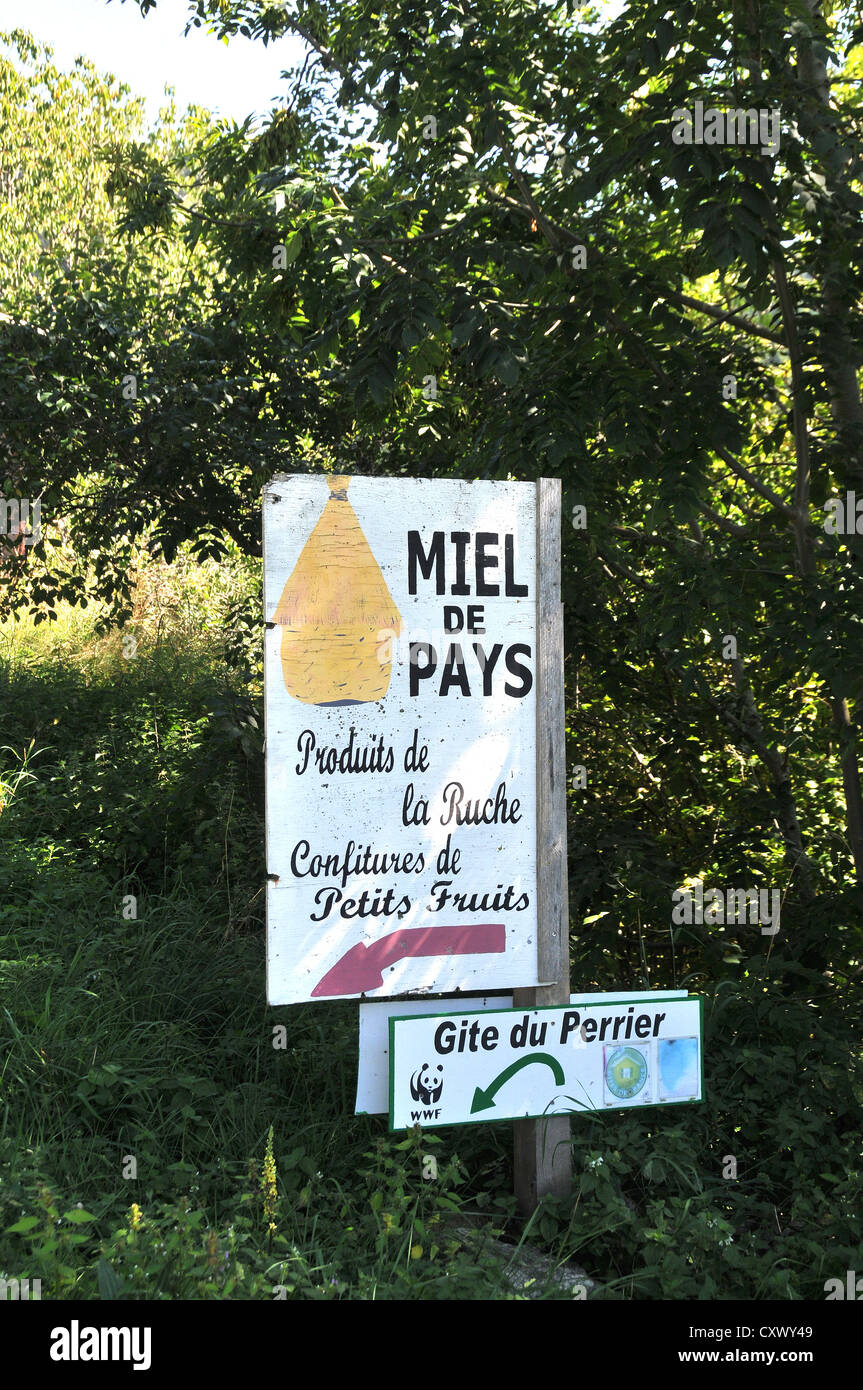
401	660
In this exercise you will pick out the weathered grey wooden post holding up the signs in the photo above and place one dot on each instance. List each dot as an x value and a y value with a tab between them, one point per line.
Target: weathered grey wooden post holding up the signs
543	1156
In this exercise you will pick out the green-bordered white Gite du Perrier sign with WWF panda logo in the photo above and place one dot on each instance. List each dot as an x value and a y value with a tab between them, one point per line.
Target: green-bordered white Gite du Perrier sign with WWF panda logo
513	1064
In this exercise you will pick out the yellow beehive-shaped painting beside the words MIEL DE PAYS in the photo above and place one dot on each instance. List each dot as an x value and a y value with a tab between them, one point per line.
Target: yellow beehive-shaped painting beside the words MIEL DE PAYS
337	615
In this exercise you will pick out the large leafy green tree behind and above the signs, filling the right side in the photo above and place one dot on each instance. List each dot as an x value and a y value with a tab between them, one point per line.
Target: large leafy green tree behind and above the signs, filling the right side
470	244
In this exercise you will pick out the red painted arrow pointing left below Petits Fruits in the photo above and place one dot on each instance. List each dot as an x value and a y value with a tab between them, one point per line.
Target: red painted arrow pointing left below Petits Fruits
362	968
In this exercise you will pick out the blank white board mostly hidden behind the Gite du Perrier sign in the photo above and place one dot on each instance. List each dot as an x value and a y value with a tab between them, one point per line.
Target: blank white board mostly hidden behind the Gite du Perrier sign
373	1071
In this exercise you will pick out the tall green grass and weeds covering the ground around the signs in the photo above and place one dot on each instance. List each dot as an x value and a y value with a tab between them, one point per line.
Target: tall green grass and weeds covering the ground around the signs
138	1072
